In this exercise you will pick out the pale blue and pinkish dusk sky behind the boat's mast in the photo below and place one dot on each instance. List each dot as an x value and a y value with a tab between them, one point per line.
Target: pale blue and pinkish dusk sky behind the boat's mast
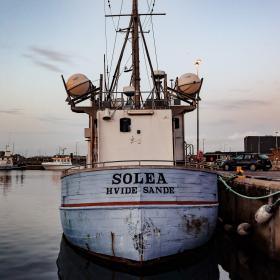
238	42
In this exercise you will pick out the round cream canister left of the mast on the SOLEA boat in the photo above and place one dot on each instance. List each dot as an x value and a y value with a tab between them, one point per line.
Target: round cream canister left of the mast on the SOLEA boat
78	84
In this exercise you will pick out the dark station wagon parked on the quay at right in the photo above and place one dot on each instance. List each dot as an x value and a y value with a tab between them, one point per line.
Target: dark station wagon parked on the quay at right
248	161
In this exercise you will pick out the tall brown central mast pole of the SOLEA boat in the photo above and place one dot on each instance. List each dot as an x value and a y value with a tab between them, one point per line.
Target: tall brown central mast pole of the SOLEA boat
135	53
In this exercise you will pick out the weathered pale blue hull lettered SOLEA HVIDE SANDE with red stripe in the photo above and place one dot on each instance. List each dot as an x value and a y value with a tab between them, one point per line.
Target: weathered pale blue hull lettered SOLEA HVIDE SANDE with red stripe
139	217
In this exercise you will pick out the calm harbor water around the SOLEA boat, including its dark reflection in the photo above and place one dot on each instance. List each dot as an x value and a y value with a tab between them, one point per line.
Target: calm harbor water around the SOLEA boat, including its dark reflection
32	245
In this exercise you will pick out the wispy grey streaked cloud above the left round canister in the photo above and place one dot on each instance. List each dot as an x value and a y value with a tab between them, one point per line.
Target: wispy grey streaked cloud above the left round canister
46	58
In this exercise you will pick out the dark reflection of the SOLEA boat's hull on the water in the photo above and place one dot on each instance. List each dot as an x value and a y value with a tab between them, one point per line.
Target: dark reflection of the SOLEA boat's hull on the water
72	265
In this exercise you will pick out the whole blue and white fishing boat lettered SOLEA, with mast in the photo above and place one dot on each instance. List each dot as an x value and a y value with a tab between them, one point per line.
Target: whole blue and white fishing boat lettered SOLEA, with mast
136	201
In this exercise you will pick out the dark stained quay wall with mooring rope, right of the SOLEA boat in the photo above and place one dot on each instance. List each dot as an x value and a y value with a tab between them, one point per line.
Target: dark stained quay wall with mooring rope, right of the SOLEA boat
238	213
